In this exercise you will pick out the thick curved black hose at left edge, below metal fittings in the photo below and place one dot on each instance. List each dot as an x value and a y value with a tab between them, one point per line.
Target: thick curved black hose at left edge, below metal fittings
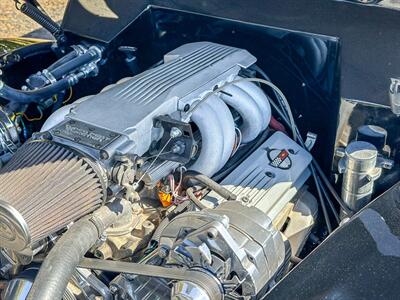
26	97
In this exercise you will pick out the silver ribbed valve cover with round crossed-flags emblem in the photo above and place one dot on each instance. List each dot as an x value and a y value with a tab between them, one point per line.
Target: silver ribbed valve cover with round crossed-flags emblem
261	183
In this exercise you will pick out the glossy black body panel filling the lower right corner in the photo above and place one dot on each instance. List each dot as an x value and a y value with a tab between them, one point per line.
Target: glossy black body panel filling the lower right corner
361	260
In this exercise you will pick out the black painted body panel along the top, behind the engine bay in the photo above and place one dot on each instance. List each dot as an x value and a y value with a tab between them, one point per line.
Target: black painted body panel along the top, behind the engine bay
370	35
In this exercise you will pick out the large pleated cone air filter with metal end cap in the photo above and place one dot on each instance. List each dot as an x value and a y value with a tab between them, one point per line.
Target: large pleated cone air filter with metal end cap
43	188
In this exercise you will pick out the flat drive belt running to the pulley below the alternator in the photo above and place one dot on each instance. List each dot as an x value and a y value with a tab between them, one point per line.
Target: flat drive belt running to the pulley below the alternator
209	284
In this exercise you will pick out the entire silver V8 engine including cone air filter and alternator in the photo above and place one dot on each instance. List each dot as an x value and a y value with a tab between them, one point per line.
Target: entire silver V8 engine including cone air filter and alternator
138	157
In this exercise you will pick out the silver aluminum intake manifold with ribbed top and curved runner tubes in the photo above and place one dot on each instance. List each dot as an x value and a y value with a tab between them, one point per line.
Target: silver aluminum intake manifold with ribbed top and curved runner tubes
120	119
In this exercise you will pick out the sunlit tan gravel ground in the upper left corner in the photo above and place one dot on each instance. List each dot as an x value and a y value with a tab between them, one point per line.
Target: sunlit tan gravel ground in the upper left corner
14	23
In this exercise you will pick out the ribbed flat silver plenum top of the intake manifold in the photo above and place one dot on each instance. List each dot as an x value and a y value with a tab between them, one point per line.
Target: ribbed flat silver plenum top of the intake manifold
128	107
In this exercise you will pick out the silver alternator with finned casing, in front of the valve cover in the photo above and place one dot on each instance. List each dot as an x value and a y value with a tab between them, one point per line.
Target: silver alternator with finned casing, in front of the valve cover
230	239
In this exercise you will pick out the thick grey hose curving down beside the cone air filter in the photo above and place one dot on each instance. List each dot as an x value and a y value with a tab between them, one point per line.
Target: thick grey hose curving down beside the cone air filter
64	257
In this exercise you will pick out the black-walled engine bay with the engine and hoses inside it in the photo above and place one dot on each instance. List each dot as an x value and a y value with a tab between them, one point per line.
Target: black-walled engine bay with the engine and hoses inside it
173	166
